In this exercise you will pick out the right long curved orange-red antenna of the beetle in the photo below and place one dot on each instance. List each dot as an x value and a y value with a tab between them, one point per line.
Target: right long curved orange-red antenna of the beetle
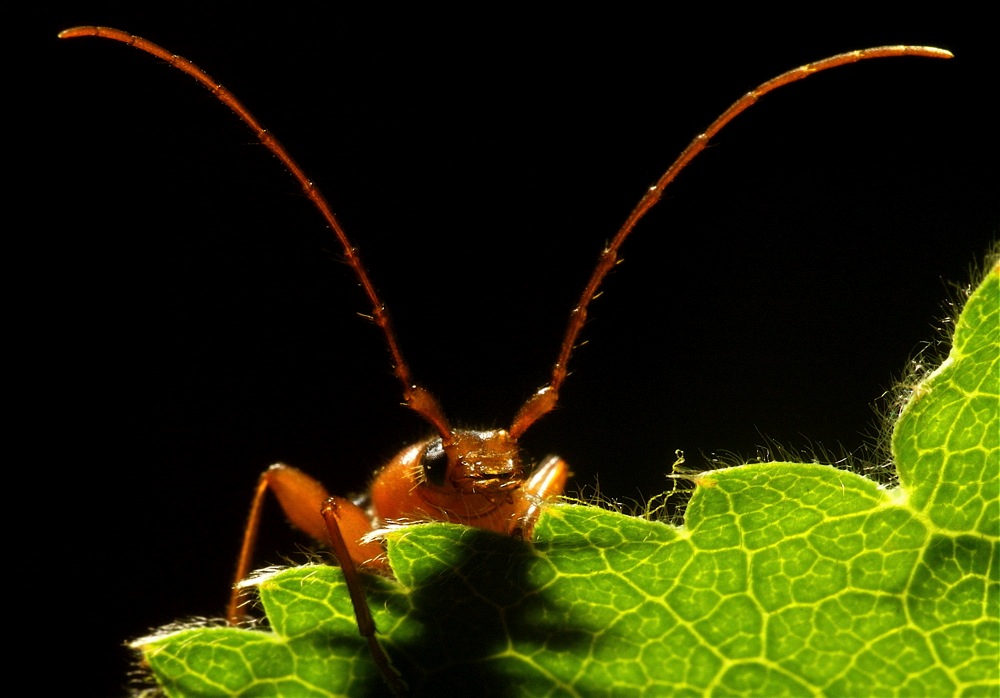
546	398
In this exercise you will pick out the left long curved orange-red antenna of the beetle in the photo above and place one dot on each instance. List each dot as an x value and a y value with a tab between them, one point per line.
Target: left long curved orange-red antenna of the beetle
416	397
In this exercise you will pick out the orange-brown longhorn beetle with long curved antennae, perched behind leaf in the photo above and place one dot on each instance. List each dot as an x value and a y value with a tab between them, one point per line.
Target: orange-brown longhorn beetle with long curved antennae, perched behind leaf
474	477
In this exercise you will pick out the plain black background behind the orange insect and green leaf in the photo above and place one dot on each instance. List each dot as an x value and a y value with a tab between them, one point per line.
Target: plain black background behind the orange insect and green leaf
190	322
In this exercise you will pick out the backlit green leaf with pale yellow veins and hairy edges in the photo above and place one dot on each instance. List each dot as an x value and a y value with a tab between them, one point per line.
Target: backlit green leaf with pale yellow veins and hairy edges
785	579
